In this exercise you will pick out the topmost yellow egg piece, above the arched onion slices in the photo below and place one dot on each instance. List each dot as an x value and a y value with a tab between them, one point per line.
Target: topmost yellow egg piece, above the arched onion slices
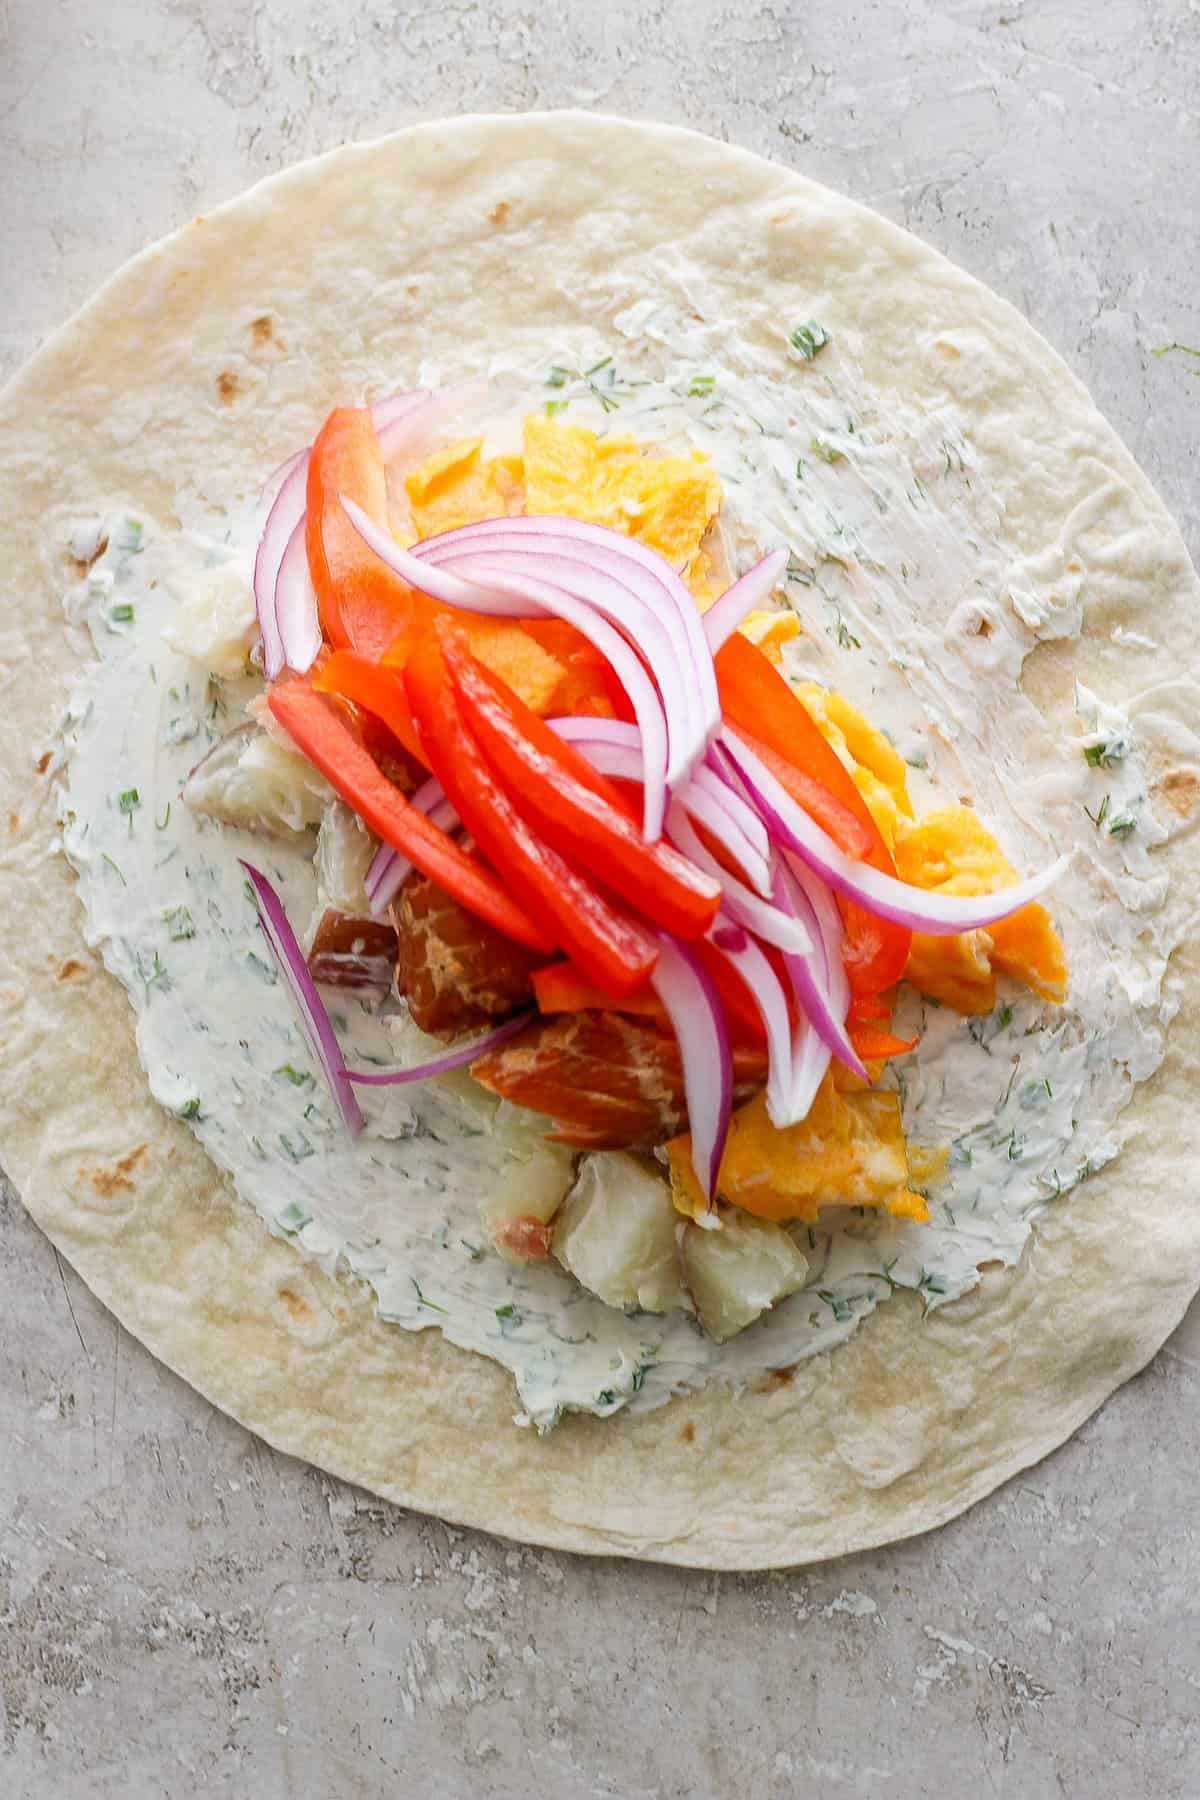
665	501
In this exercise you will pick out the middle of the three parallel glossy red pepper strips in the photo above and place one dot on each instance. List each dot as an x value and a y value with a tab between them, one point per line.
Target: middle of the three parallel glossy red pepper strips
613	949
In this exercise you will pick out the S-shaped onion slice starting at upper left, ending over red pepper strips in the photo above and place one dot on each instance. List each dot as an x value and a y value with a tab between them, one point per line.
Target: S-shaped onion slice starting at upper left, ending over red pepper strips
535	598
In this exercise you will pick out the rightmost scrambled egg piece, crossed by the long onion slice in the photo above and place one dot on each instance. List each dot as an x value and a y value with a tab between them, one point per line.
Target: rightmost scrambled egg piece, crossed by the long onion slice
954	854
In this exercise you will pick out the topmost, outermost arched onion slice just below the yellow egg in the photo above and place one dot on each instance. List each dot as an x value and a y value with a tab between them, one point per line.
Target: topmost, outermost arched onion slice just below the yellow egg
613	553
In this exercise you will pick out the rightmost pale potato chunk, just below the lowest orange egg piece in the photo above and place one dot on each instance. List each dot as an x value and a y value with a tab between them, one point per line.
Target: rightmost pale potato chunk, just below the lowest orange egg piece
737	1273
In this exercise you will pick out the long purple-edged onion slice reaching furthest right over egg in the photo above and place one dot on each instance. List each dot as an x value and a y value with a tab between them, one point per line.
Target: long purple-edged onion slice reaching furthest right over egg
884	895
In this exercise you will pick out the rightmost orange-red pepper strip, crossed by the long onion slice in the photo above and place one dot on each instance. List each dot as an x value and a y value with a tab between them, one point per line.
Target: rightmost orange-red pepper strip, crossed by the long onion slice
757	699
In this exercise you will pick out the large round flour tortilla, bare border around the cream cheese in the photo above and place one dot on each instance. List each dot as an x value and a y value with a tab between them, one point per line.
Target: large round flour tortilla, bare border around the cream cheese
199	368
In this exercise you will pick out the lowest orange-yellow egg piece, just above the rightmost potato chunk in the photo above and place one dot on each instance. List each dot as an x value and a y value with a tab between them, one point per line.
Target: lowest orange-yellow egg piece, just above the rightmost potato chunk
850	1151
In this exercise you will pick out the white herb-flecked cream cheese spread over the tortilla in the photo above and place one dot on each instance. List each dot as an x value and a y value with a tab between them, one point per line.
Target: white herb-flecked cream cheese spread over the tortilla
897	553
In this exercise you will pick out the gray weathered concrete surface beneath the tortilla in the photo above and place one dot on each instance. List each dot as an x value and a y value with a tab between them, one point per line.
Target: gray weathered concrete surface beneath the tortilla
184	1612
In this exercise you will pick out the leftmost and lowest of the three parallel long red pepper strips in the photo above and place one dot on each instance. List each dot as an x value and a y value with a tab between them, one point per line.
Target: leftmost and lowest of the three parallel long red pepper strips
330	744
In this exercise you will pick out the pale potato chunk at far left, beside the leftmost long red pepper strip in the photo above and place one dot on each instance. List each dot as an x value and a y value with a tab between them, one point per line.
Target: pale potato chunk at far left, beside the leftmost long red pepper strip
255	782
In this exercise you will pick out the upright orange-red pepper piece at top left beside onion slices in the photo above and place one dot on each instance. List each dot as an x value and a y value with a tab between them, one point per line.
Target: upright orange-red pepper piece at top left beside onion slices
361	600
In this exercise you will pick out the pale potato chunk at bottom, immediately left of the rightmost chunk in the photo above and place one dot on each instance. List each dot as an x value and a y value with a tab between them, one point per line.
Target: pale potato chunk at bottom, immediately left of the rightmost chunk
616	1234
